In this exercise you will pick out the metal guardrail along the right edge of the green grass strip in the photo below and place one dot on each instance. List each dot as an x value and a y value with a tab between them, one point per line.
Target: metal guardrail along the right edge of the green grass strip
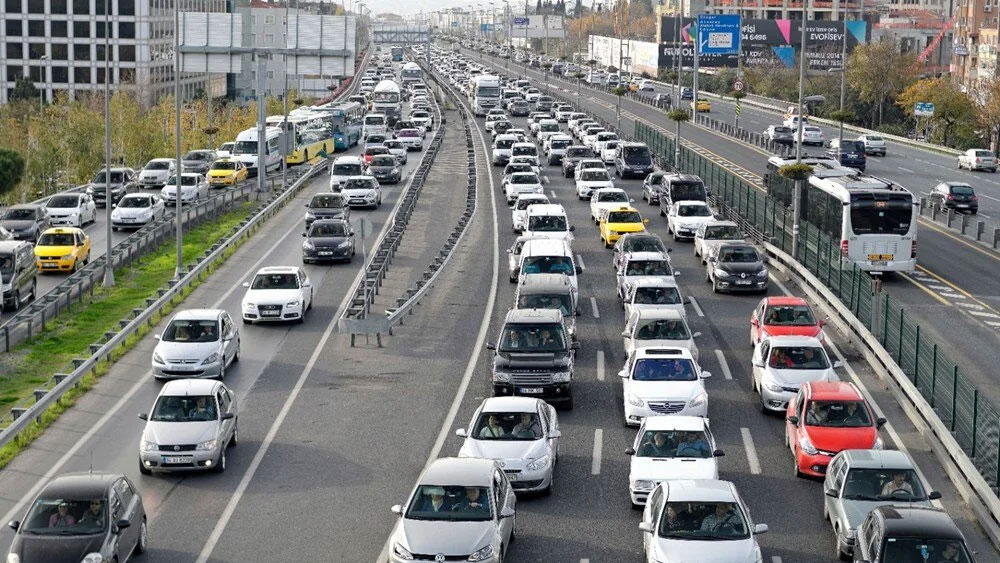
23	417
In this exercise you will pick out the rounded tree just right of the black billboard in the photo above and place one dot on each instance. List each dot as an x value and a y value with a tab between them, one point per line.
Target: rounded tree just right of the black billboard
878	72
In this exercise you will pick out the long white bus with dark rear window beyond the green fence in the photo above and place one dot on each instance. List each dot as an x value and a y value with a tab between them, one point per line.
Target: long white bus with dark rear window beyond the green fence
875	220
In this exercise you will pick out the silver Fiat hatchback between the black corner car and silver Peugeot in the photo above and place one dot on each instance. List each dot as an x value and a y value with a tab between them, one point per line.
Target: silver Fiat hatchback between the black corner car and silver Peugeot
189	427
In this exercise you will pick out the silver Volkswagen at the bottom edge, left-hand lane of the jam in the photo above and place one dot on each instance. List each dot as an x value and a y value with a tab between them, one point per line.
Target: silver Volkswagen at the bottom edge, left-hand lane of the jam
462	509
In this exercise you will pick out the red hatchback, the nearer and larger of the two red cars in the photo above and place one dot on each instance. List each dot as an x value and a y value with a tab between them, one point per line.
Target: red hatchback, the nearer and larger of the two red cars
825	418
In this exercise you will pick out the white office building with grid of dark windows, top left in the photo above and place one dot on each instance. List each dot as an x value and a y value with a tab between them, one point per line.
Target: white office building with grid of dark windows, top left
59	45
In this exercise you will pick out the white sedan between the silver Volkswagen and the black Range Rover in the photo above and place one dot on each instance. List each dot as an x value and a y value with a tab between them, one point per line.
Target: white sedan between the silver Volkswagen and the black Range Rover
520	433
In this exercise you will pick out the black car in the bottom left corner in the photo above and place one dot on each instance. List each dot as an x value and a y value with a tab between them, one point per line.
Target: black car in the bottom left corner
82	517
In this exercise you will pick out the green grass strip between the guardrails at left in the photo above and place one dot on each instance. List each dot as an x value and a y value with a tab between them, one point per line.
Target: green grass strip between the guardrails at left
33	363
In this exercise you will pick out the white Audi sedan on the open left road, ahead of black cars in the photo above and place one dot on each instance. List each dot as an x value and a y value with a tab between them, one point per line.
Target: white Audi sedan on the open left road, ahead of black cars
277	293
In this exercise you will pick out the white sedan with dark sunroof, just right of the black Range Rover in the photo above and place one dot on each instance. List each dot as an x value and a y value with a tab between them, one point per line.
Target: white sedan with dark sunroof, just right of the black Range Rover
658	381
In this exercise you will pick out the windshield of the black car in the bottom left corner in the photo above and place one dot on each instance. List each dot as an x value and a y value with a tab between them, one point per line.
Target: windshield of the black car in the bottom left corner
66	517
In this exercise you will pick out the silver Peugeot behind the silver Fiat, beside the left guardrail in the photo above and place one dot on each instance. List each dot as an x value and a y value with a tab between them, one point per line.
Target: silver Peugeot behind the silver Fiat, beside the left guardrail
197	343
